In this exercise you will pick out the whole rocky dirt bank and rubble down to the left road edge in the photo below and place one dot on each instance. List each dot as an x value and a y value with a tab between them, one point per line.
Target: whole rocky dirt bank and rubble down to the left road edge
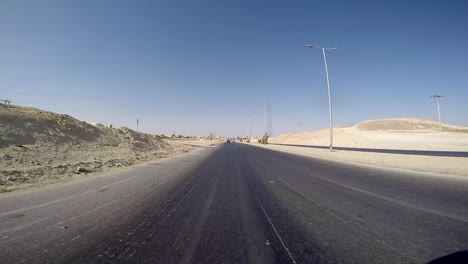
39	147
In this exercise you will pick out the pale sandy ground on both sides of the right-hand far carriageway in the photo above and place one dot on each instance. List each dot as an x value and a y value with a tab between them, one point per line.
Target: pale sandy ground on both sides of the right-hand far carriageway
405	134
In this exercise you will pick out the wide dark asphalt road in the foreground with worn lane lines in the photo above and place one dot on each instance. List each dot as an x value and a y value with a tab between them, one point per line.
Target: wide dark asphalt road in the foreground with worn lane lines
239	204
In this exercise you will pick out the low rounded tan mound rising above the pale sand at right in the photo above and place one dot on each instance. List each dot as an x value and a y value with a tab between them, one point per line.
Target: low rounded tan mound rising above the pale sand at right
398	124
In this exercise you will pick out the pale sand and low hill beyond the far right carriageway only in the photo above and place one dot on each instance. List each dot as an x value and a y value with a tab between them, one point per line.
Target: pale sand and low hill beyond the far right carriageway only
386	135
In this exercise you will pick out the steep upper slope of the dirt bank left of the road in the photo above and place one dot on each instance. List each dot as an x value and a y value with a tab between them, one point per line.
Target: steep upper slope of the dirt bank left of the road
26	125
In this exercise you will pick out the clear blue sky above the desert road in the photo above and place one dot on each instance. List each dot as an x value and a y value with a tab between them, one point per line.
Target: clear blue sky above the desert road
200	66
